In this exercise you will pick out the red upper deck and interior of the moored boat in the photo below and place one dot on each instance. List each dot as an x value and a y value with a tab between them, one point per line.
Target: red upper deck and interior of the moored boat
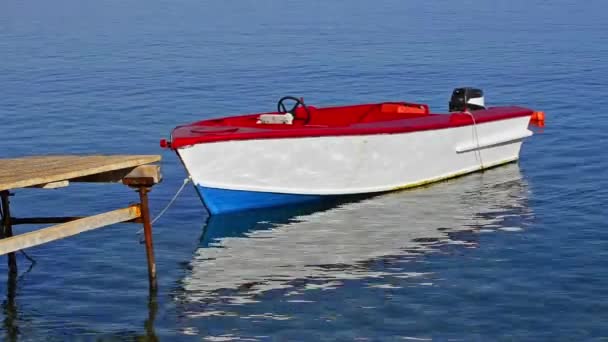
366	119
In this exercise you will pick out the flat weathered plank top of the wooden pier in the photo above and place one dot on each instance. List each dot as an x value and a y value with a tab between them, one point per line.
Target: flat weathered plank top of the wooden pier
31	171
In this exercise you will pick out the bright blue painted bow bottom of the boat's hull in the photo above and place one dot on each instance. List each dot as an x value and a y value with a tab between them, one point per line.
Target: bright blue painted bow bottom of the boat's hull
219	201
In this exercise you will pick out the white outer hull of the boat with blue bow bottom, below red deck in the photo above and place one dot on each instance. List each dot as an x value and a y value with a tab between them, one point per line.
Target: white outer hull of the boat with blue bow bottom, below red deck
344	165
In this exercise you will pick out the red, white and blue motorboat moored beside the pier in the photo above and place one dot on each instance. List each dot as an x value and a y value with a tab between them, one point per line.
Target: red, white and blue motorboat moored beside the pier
303	153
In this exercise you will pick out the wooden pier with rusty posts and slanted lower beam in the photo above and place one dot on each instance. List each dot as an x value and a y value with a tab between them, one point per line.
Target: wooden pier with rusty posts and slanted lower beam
49	172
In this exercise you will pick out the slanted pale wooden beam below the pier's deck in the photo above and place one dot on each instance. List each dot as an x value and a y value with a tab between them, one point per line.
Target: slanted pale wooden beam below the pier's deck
64	230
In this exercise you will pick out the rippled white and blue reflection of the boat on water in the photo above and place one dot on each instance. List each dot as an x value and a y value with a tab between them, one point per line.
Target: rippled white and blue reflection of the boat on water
244	255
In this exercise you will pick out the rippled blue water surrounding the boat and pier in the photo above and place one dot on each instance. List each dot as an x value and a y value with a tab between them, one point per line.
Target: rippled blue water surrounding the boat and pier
517	253
